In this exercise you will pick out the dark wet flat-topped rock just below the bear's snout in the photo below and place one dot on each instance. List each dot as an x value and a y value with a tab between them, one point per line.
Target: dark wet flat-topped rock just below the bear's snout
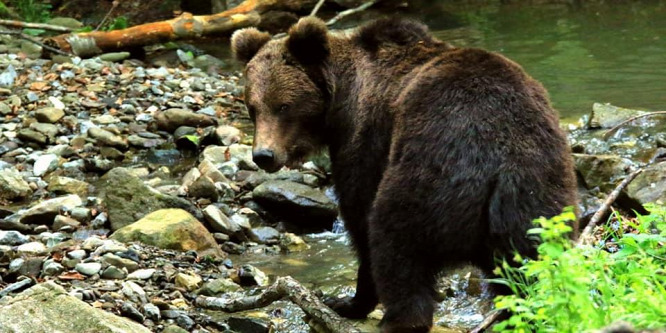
296	202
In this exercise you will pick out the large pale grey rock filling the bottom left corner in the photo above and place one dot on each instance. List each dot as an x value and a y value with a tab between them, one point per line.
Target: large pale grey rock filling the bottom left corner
47	307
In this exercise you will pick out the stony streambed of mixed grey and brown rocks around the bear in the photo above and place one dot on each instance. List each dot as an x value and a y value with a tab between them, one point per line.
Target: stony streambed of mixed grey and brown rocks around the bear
131	188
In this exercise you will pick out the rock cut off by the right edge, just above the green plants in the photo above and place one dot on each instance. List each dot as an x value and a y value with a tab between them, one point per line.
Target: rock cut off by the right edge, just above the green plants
650	185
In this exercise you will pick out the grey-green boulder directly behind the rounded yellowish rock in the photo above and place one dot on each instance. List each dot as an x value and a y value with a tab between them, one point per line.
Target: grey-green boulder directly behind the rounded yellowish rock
128	199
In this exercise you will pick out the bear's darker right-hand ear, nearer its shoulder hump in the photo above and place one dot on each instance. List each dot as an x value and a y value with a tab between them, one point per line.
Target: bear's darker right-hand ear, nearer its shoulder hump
308	41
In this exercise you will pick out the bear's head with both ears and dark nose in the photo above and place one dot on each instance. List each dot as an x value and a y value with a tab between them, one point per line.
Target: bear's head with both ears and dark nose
285	92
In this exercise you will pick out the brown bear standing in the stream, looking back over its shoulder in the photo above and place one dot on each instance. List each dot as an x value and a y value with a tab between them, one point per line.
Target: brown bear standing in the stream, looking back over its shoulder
440	155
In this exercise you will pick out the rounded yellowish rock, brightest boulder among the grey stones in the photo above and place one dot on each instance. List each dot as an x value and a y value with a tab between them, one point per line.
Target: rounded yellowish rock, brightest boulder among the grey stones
170	229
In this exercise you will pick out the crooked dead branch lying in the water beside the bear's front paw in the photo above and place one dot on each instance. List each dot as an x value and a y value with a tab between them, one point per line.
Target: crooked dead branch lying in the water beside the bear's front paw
283	287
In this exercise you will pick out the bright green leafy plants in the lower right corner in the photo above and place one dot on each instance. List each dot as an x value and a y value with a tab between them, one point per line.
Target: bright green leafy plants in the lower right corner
579	289
